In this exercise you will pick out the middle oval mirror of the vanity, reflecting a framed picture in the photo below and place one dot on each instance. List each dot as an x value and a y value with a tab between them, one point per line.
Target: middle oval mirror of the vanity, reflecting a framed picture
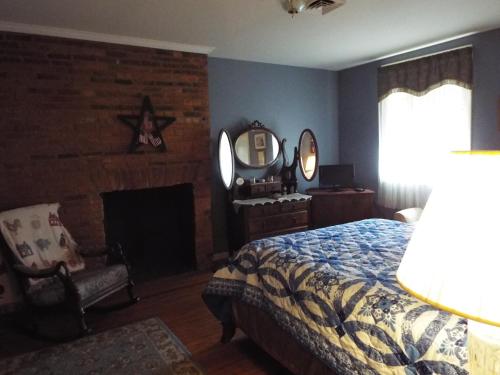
257	148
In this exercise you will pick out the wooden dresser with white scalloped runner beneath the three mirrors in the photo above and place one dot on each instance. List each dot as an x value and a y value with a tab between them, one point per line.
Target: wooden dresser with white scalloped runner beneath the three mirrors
253	219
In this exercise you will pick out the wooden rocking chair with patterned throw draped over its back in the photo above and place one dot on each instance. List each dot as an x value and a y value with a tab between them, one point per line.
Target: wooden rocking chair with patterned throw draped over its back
51	271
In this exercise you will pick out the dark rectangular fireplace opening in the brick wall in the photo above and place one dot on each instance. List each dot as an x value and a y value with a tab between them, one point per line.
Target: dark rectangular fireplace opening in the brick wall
155	228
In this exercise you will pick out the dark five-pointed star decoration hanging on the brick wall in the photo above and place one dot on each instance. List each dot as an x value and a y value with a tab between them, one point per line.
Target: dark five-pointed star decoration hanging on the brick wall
147	127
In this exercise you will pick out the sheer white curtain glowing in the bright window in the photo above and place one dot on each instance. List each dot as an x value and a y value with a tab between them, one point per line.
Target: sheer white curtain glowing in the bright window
415	132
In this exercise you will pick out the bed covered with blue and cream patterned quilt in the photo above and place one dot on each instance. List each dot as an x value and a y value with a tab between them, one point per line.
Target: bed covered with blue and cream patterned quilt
326	301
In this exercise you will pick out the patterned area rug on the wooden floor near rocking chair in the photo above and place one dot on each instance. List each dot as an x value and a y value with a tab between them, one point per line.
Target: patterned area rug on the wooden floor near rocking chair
146	347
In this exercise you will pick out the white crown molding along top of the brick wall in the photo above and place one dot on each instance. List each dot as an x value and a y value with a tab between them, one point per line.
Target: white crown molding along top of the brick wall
101	37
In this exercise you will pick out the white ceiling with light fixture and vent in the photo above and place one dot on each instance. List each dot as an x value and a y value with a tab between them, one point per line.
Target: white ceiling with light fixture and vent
259	30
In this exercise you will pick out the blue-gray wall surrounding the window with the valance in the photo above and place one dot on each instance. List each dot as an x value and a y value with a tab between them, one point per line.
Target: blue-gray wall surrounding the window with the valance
358	105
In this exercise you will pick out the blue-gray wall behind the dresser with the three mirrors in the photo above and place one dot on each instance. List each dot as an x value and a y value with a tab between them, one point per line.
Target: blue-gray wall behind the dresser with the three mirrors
286	99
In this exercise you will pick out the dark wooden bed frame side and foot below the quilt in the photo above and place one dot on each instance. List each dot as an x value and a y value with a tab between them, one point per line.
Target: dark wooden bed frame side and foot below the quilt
263	330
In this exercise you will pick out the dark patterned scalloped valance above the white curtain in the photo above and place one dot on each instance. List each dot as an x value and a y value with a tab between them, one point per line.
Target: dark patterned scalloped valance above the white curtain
418	77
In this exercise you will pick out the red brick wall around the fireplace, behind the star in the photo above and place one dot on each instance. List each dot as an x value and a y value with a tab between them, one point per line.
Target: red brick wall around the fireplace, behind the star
60	139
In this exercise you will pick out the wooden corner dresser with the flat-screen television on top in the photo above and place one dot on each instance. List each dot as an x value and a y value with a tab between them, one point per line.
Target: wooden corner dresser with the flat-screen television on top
330	207
